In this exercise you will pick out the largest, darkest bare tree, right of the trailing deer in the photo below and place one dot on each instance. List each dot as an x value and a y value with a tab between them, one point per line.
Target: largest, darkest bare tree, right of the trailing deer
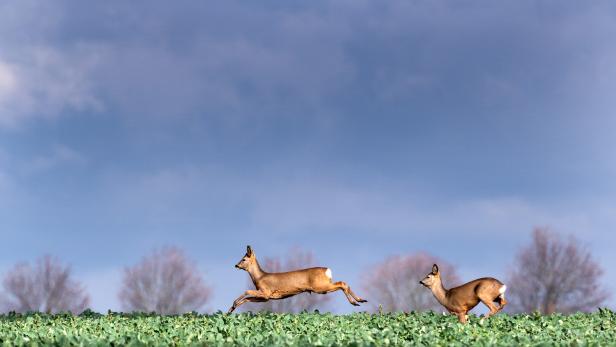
555	275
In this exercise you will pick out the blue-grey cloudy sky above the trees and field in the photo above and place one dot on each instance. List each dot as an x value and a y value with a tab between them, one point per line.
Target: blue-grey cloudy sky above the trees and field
354	129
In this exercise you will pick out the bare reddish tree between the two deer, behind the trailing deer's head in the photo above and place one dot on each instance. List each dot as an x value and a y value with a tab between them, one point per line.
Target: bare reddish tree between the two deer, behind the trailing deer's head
393	285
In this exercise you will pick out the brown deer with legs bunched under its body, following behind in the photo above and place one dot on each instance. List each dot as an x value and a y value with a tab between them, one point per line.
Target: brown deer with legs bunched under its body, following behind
461	299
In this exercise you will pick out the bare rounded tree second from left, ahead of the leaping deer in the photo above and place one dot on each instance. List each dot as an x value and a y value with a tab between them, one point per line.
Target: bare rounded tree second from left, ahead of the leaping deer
165	282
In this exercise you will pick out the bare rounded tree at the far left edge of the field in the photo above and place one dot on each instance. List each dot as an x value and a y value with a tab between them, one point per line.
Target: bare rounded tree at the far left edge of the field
45	287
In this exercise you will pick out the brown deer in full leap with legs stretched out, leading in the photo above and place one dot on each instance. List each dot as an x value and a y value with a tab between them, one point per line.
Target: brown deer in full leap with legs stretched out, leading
280	285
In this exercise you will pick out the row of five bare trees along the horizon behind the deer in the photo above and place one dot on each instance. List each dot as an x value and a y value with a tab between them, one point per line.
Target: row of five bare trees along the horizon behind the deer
552	273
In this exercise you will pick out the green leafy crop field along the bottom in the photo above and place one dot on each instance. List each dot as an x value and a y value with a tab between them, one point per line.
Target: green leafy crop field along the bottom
307	329
